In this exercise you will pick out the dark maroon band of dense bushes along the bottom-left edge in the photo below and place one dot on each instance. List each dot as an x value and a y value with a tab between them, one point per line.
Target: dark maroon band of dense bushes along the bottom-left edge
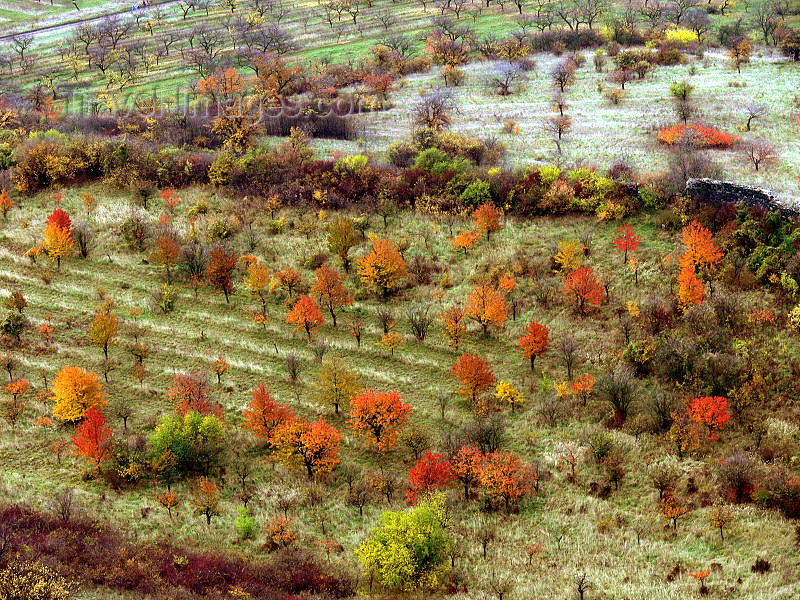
90	553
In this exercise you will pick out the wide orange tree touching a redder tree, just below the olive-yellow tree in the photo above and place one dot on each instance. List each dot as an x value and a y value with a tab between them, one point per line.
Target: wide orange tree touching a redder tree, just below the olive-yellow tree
314	446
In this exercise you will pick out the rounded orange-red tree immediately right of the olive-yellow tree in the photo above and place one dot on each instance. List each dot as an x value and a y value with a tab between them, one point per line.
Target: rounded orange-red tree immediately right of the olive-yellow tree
379	417
